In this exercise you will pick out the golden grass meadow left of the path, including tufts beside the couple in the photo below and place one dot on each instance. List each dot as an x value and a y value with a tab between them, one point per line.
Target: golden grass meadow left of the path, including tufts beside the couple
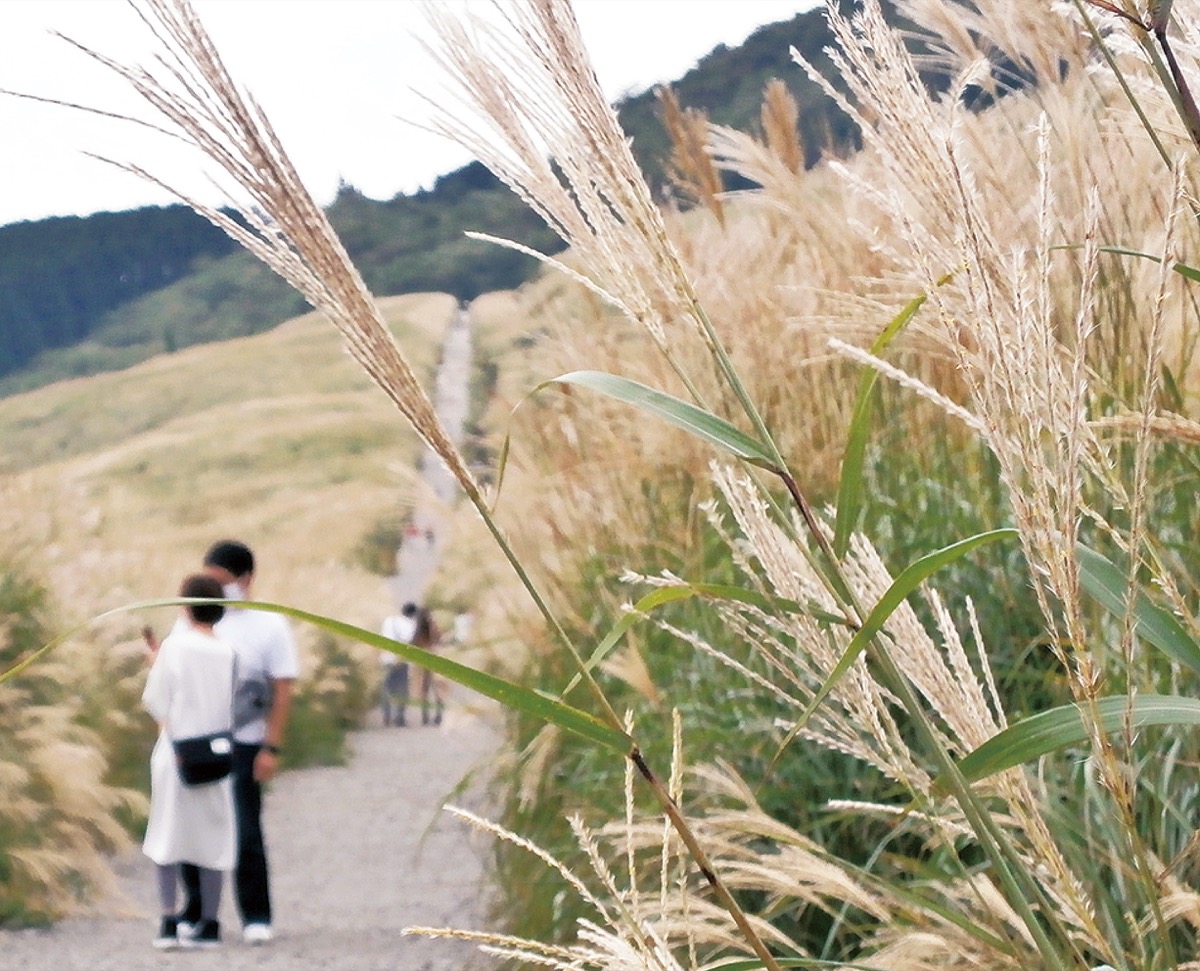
113	488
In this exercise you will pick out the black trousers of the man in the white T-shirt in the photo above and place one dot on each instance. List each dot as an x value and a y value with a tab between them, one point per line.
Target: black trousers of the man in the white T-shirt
251	888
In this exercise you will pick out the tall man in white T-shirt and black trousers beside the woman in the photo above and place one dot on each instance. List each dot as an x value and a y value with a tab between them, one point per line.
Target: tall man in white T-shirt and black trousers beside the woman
267	673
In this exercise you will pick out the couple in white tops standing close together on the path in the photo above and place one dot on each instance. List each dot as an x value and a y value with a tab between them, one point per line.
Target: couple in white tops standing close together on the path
219	669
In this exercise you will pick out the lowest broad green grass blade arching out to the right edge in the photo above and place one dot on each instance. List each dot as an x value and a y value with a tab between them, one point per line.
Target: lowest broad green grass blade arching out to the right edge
1049	732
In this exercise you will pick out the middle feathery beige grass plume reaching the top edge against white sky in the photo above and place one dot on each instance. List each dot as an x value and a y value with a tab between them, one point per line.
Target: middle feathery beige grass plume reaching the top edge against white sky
531	109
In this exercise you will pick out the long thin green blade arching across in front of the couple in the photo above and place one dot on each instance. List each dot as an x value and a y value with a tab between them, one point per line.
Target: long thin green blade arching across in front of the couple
507	693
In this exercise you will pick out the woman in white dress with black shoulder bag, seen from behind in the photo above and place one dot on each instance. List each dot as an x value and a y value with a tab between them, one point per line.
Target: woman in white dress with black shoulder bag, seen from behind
190	693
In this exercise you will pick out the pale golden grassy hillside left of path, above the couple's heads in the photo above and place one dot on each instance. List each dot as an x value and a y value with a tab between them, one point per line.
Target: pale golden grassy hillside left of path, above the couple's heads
116	484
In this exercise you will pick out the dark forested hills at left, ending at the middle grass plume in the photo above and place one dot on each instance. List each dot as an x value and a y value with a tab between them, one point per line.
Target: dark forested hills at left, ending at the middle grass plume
86	295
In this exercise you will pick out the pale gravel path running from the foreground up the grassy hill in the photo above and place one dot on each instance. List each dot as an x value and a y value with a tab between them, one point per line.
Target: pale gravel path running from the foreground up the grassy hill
357	853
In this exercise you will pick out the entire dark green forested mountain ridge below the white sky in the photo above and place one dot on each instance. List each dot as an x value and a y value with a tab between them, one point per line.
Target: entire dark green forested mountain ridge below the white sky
110	296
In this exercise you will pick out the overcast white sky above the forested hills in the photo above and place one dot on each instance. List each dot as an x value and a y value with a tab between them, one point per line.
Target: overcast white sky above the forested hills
334	76
